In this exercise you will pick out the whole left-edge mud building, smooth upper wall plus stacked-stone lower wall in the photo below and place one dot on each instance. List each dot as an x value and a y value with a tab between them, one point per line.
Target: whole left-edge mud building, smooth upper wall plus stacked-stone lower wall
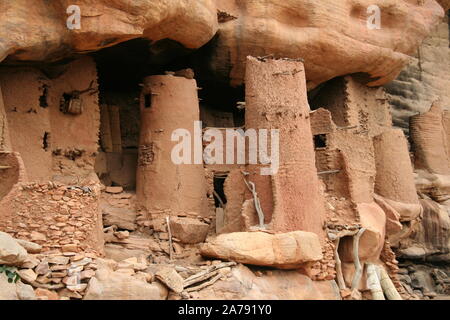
49	145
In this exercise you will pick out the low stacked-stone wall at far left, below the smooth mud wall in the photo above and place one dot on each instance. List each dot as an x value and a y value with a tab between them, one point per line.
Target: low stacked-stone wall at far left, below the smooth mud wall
58	217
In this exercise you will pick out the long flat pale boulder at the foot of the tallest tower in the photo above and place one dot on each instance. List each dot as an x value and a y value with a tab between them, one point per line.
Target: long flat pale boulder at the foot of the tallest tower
285	250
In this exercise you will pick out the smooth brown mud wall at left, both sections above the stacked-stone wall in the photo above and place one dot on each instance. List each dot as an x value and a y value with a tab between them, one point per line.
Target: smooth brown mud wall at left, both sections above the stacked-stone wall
53	145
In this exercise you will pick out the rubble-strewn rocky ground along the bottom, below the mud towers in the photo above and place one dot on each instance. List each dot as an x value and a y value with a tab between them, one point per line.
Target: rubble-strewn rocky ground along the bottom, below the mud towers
141	262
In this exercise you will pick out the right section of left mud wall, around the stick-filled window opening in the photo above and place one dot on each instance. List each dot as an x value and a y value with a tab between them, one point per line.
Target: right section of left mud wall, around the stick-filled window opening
74	138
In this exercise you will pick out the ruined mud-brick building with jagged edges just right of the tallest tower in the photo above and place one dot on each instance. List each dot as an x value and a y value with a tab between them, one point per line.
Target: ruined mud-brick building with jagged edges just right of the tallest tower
358	113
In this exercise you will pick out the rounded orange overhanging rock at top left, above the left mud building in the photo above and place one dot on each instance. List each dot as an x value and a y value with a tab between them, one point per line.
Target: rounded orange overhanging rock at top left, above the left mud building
41	33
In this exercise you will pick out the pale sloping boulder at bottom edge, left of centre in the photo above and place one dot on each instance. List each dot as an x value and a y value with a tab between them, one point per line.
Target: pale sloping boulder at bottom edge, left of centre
110	285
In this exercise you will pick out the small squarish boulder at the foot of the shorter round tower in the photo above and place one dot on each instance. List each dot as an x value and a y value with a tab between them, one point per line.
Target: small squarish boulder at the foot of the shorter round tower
188	230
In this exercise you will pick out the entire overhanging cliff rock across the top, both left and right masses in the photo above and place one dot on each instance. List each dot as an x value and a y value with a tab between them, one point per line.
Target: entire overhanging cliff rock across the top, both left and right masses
328	35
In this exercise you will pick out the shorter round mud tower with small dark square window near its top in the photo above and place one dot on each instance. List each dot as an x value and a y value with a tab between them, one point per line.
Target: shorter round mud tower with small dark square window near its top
169	106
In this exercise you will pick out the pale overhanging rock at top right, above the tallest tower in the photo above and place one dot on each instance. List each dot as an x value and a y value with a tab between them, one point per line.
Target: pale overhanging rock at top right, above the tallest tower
327	34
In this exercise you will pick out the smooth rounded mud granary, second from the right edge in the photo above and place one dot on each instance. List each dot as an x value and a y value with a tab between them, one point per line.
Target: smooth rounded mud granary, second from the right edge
394	178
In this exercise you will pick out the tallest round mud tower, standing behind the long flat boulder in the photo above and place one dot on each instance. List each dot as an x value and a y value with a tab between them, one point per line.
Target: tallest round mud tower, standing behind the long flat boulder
276	98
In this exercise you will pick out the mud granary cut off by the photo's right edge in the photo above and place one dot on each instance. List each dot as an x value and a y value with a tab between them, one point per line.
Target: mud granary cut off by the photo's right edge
430	141
